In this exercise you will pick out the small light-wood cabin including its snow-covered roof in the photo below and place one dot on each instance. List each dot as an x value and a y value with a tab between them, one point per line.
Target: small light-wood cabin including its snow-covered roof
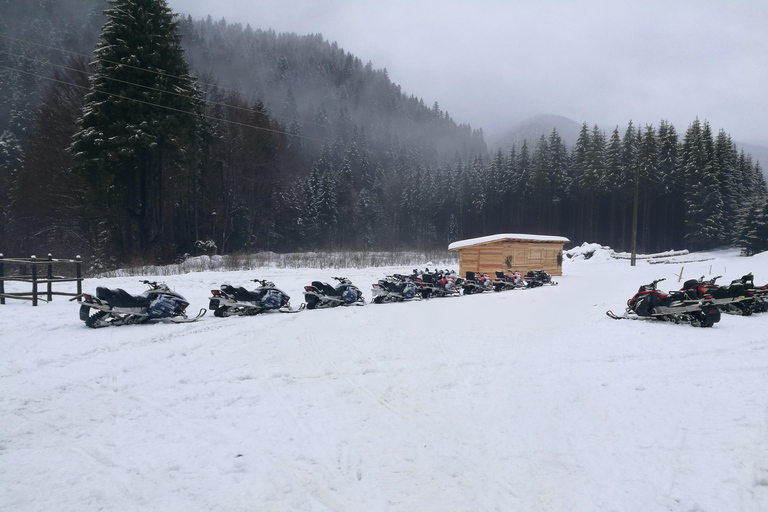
511	252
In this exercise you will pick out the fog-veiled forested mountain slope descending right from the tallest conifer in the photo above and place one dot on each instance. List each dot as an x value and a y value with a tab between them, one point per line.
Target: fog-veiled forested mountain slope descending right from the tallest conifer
322	90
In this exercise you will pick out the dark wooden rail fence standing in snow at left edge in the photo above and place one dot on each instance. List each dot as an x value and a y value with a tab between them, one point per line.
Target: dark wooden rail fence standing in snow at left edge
36	280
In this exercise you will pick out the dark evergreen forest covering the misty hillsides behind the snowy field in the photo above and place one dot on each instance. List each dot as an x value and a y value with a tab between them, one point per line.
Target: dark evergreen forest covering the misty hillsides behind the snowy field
189	136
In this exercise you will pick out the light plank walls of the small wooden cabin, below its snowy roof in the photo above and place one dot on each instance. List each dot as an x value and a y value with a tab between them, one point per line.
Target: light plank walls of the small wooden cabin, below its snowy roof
490	257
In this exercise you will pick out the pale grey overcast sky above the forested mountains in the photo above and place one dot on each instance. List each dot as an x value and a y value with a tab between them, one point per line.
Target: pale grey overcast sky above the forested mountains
493	63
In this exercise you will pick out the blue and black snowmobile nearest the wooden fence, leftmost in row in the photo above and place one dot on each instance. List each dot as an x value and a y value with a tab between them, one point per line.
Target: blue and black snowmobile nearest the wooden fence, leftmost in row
118	307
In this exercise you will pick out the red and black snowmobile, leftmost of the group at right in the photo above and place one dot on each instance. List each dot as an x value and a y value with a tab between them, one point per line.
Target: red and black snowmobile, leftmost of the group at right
677	307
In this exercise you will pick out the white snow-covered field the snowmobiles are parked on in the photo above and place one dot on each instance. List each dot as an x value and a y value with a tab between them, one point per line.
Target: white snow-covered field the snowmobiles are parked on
527	400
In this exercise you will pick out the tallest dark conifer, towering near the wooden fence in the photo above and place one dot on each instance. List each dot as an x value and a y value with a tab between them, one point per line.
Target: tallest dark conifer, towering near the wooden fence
138	126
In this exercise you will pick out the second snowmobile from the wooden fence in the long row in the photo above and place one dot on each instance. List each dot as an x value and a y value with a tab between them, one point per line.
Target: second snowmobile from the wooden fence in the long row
231	300
